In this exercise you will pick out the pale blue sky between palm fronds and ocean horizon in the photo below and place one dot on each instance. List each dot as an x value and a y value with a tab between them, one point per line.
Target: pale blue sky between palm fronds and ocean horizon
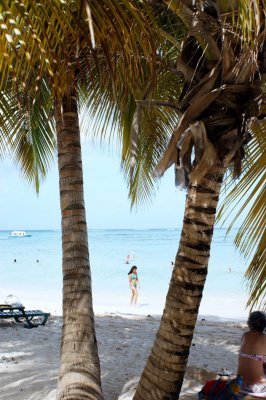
106	199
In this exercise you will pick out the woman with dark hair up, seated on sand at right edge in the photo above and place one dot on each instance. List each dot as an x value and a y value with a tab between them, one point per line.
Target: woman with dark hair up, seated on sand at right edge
252	354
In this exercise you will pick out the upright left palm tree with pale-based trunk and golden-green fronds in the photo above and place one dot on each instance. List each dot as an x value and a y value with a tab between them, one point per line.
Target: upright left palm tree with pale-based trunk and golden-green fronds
57	53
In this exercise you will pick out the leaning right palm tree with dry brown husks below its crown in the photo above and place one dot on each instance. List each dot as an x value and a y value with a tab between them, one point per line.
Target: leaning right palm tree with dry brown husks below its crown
221	67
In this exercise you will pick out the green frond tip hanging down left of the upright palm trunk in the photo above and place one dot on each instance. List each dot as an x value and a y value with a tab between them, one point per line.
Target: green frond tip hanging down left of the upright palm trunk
28	131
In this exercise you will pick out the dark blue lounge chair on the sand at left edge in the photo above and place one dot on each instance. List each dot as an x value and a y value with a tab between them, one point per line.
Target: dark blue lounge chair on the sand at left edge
20	314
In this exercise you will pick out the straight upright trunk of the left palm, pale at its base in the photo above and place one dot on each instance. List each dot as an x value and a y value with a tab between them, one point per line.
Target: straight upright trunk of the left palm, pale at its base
79	375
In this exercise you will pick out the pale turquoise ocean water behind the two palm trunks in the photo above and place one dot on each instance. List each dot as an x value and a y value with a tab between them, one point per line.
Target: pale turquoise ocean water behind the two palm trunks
36	276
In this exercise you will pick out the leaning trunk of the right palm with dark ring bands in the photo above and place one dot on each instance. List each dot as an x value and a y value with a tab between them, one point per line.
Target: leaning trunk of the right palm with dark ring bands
164	372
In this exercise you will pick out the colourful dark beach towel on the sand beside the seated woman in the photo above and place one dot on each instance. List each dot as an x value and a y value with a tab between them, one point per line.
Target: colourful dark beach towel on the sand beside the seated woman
220	389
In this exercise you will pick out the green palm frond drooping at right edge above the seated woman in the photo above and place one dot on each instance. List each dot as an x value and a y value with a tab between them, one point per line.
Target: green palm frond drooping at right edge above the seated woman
249	192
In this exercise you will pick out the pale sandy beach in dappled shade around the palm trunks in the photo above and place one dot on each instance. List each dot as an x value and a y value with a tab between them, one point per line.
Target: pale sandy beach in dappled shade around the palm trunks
29	358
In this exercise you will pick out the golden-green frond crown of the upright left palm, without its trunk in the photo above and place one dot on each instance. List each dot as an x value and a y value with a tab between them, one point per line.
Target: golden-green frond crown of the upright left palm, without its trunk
49	45
